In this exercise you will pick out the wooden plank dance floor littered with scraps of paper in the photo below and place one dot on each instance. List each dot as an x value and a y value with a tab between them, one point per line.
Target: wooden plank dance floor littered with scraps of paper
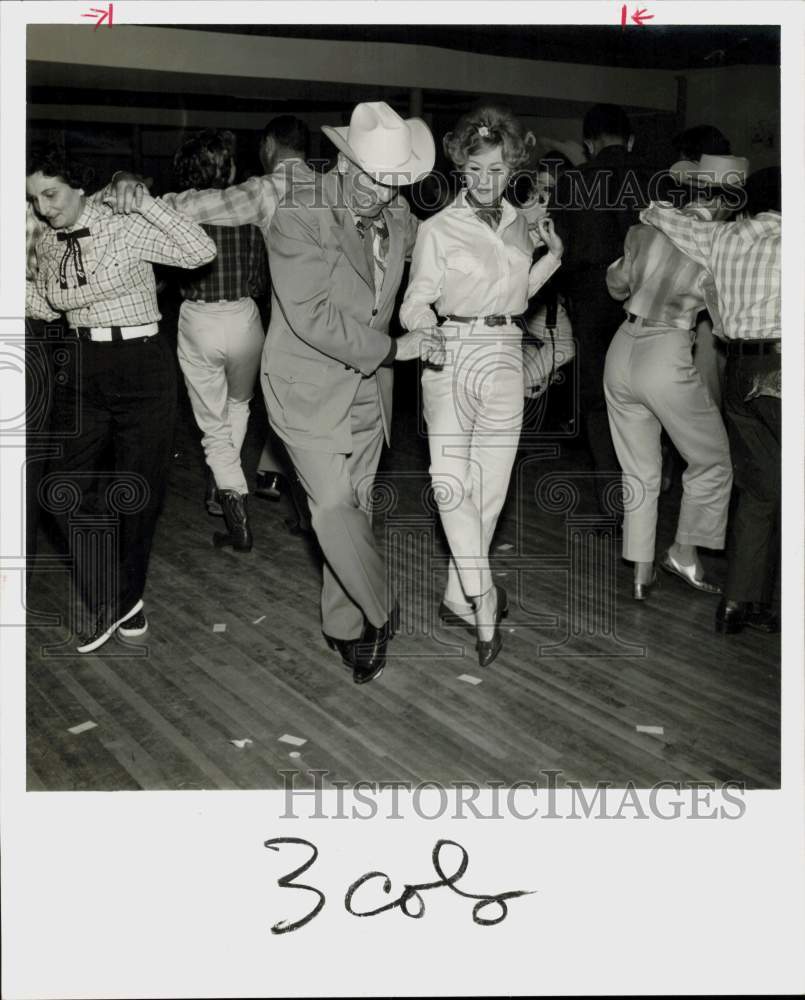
235	653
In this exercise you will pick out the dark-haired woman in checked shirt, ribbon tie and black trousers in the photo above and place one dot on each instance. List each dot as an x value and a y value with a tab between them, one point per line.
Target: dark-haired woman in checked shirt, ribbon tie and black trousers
115	414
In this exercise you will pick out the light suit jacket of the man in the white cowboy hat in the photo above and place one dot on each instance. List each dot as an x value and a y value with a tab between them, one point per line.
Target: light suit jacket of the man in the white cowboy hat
326	333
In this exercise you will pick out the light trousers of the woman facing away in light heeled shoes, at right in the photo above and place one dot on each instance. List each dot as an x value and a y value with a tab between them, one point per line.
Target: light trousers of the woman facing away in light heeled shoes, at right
651	383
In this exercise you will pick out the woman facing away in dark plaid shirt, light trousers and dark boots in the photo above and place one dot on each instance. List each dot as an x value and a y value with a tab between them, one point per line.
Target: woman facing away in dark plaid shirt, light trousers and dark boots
221	335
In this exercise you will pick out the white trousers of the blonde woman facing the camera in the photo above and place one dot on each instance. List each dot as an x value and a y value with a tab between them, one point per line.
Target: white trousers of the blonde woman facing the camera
473	407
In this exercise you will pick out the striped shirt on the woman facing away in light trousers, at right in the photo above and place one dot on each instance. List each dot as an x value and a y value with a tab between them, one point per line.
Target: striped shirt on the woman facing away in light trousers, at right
657	281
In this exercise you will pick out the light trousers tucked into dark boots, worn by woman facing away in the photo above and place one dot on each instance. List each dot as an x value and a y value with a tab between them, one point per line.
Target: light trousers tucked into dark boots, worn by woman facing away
219	348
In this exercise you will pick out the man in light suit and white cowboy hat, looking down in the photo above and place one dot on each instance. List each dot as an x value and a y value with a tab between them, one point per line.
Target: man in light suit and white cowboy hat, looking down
336	252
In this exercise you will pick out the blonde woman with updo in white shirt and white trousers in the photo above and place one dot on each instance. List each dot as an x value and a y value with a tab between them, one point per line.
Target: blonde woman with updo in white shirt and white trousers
472	272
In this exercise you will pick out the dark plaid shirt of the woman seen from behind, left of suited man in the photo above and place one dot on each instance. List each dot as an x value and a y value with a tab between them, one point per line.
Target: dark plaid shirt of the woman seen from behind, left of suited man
239	271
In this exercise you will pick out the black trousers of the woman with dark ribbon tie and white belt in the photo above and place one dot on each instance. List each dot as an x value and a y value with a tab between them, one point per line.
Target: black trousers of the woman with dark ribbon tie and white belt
107	488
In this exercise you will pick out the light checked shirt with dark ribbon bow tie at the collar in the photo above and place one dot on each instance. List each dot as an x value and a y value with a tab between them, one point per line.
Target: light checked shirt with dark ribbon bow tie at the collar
107	271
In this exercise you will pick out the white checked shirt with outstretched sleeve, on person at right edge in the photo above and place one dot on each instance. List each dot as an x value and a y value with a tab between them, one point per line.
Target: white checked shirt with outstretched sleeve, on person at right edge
744	260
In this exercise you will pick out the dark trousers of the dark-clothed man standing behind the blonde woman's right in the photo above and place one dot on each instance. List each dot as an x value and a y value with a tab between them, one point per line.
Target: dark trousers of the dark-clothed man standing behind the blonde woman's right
595	317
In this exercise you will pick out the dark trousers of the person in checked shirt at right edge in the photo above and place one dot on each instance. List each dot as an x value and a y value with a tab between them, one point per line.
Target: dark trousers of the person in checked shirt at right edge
754	428
